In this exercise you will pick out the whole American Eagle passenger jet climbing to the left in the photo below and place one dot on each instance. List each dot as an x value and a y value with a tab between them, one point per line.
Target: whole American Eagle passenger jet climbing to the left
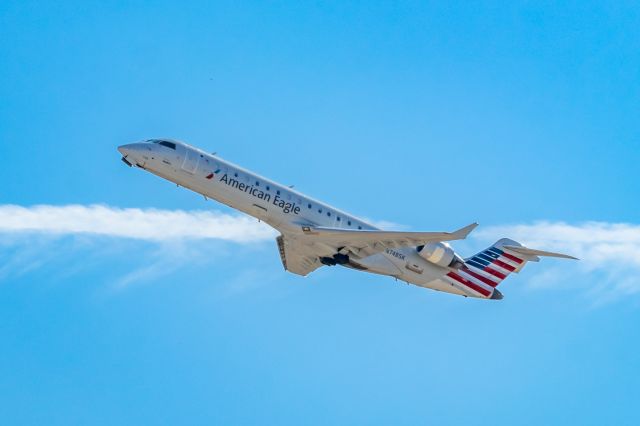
314	234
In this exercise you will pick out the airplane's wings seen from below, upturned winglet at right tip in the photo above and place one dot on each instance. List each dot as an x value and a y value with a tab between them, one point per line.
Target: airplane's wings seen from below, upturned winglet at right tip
301	254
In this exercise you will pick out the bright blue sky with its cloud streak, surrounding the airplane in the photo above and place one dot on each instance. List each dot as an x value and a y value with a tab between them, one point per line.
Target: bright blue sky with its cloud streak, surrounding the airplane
522	116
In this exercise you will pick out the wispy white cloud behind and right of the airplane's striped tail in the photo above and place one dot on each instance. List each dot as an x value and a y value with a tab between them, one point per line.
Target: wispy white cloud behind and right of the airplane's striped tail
609	253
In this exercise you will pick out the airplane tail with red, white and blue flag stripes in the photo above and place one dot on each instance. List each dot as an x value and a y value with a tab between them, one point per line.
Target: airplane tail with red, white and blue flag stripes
480	274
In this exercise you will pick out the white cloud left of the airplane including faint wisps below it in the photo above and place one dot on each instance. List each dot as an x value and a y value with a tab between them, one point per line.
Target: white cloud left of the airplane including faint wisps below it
42	236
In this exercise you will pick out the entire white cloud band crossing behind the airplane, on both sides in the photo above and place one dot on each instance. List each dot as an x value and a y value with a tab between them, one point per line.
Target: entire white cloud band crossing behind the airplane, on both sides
609	252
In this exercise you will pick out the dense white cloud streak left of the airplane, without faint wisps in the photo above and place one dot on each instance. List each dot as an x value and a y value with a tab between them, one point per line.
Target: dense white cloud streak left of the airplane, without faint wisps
141	224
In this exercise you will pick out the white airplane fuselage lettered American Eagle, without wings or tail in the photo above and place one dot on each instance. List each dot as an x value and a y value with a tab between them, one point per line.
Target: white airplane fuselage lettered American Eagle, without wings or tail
279	206
